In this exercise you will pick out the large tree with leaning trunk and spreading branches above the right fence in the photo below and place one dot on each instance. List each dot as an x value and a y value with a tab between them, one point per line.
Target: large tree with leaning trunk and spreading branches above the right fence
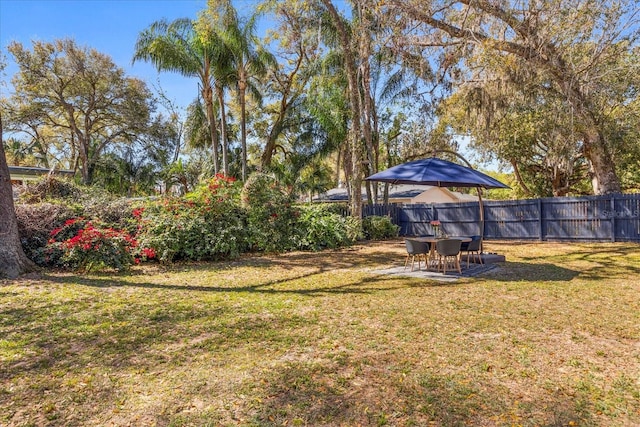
575	47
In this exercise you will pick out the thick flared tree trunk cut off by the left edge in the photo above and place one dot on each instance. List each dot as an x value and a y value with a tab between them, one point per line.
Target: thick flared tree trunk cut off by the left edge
13	261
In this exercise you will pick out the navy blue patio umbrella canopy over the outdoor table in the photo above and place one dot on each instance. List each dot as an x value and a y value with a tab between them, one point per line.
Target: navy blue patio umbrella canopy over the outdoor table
434	171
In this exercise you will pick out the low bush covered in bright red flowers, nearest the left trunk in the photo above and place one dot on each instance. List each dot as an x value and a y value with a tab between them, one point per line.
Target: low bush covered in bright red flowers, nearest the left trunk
90	245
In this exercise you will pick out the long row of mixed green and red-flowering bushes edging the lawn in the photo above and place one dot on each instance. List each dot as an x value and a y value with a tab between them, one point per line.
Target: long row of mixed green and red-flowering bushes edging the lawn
62	225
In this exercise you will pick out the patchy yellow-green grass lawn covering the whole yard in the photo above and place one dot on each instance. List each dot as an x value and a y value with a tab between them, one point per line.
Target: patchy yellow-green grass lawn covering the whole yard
550	338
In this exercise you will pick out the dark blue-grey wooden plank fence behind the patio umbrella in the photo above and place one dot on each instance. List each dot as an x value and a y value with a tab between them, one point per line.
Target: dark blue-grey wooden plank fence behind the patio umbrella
614	218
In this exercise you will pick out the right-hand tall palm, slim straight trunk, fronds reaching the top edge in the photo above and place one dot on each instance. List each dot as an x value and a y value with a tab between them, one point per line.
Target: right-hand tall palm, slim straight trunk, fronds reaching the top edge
248	60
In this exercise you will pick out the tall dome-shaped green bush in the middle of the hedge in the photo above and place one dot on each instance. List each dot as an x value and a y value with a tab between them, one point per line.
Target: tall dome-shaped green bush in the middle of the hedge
271	216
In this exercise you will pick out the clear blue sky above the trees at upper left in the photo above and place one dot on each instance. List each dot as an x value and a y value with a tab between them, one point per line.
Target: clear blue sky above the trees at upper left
111	27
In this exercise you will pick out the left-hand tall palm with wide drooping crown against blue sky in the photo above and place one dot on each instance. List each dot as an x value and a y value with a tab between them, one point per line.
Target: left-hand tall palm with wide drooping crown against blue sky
187	48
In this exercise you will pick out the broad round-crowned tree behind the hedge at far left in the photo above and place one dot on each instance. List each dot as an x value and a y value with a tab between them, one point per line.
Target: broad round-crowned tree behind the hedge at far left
83	100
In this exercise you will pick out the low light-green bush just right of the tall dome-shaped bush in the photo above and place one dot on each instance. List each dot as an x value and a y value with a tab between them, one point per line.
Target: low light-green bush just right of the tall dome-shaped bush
321	228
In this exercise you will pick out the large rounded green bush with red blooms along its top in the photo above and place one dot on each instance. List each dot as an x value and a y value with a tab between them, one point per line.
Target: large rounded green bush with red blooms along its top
207	224
